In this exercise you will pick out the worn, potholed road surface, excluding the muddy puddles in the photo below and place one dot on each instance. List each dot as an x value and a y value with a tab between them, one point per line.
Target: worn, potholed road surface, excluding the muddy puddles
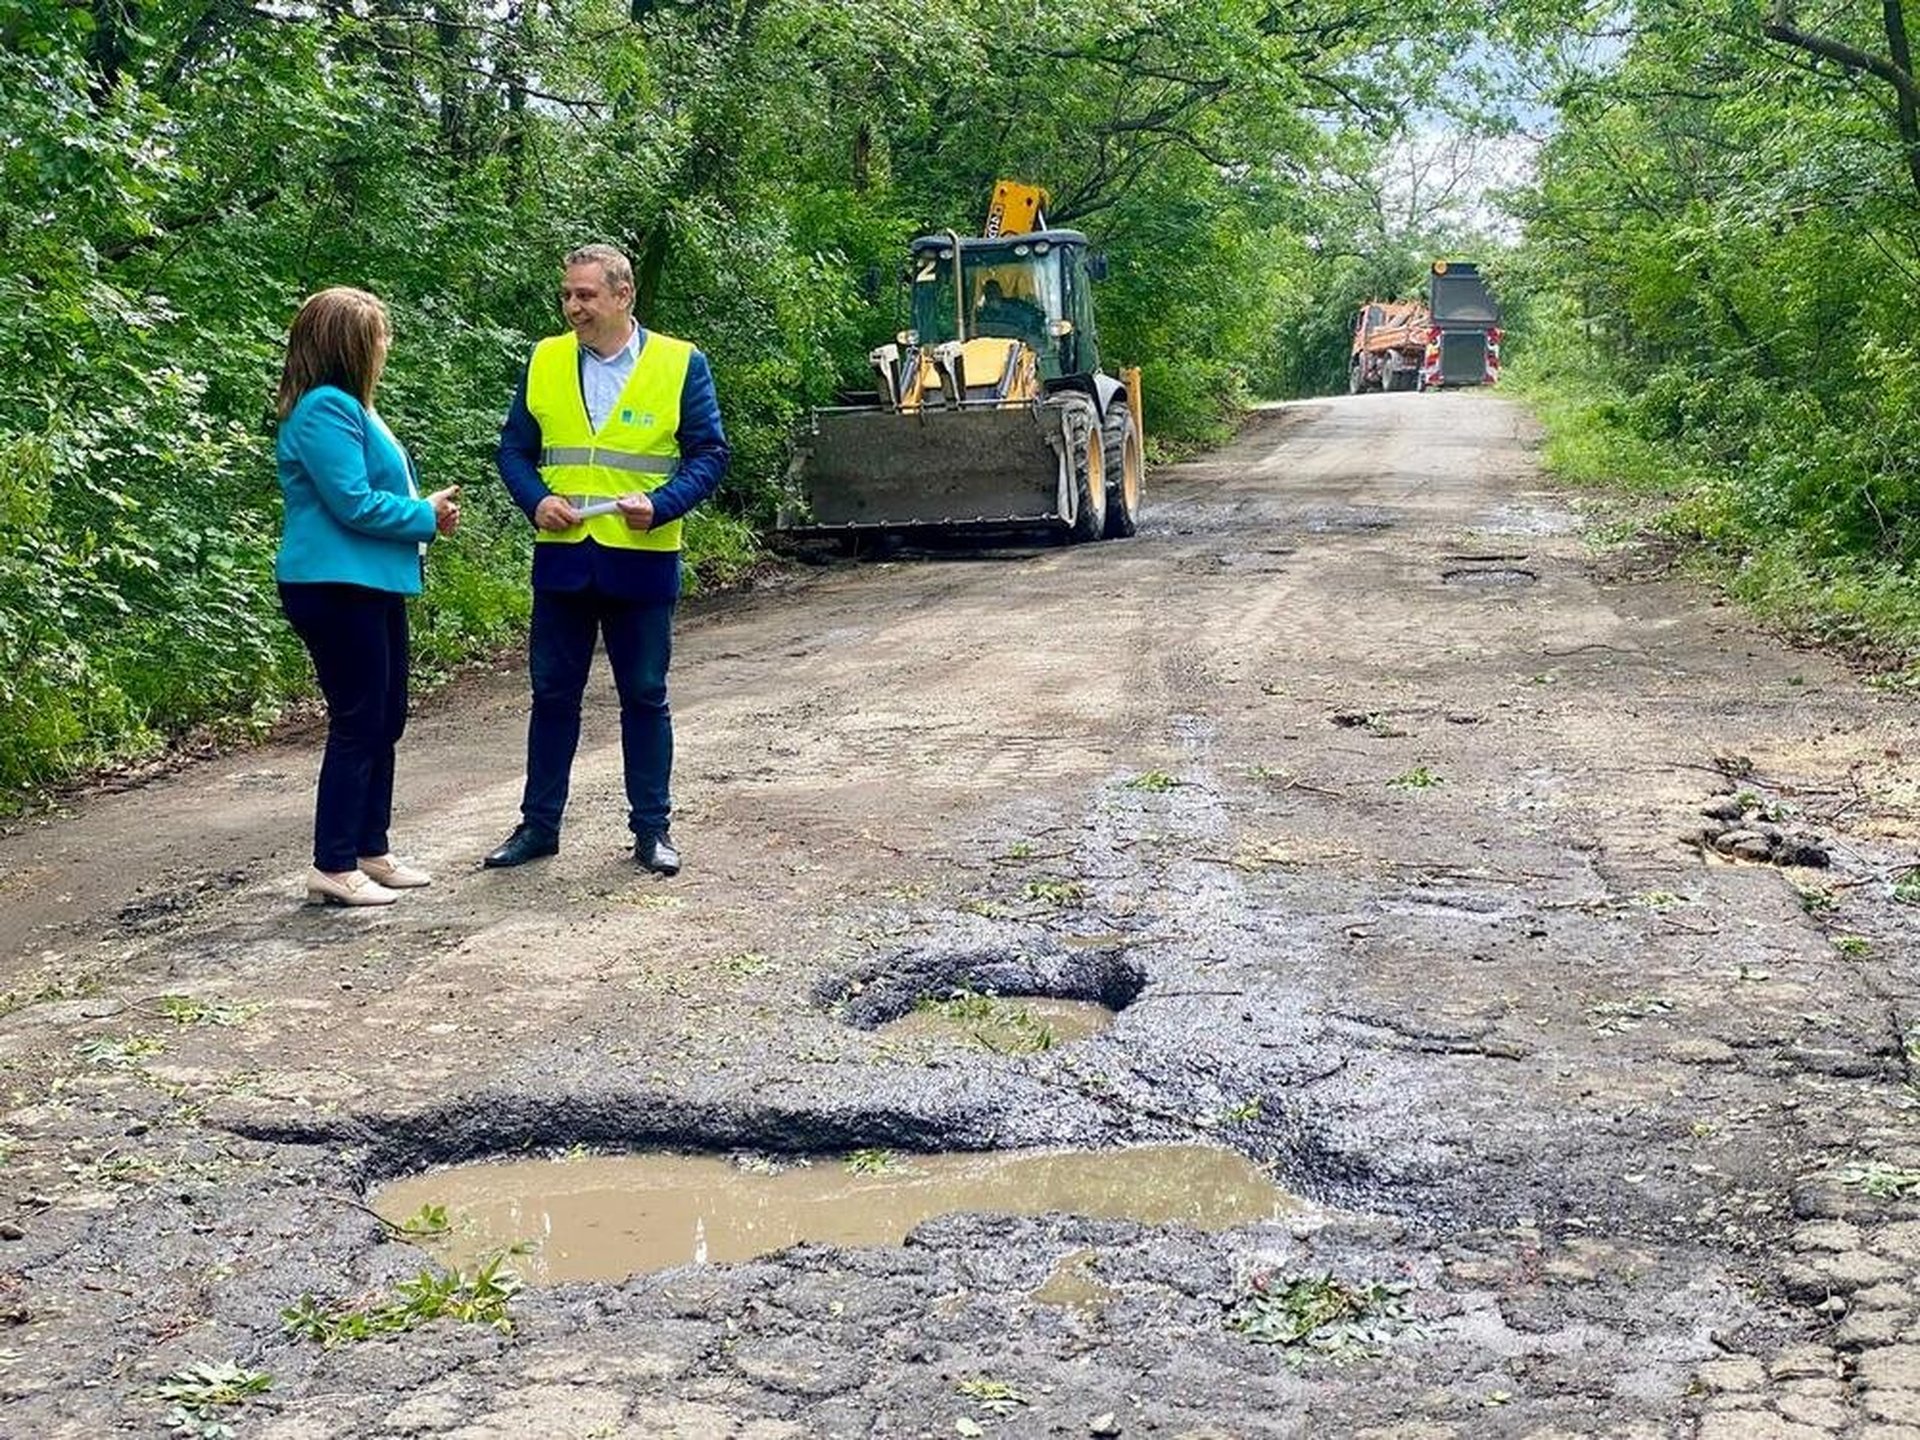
1366	786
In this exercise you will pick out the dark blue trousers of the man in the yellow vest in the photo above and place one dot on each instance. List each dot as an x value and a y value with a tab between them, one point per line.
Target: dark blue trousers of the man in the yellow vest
640	644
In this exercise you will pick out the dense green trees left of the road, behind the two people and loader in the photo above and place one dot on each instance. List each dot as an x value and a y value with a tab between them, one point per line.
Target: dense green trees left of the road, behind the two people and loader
172	189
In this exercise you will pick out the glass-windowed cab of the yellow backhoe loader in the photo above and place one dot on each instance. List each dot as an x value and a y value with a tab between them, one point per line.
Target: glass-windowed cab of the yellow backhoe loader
1034	289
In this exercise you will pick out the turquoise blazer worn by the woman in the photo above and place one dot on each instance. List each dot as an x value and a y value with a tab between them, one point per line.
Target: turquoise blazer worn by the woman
352	510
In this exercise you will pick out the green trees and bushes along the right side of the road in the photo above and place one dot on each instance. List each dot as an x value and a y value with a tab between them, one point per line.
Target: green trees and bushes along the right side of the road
1719	272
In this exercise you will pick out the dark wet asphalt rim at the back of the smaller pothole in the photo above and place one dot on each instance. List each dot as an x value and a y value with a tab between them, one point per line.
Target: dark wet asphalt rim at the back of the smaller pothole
1032	972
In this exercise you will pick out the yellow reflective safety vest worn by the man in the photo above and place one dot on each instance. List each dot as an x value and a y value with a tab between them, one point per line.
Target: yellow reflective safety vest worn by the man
635	450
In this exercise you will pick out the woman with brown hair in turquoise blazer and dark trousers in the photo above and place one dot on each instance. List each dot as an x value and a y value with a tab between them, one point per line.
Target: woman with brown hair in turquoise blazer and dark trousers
350	554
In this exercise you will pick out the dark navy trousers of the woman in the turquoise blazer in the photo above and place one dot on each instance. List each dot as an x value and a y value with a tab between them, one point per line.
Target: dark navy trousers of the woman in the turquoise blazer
358	640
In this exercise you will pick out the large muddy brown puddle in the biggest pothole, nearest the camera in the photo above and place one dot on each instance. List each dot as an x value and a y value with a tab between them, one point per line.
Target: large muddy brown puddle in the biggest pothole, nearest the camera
610	1218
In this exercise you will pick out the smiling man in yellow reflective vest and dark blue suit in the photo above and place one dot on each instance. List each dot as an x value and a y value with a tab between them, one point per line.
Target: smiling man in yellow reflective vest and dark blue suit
613	437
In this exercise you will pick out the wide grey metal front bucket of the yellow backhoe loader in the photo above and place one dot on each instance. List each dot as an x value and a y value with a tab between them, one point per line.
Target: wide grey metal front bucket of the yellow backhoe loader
871	469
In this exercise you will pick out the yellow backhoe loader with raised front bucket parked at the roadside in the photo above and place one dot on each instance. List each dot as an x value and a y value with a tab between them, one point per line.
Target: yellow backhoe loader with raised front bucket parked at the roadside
992	414
